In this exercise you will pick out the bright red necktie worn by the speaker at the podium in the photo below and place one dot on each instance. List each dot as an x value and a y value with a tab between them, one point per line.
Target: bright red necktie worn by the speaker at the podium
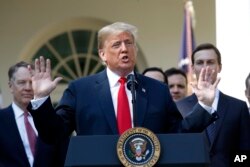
123	113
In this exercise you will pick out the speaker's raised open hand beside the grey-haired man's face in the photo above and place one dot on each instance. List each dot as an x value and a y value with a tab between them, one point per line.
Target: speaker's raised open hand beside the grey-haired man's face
42	82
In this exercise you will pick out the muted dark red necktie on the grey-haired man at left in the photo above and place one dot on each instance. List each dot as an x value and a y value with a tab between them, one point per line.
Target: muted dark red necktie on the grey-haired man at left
30	133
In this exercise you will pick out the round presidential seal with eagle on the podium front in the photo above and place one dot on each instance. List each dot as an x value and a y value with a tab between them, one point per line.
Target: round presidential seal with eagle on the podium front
138	147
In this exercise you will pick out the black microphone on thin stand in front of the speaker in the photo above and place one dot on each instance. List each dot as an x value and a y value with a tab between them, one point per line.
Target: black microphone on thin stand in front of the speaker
132	85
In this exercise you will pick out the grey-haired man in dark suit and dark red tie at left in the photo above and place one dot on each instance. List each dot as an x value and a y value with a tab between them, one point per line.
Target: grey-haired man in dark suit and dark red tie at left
15	150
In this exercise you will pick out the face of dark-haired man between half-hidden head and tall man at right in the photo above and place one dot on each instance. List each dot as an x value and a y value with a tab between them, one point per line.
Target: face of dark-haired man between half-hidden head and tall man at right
177	83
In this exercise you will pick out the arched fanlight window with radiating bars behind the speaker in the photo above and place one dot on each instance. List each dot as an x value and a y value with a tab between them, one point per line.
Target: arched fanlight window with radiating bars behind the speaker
72	48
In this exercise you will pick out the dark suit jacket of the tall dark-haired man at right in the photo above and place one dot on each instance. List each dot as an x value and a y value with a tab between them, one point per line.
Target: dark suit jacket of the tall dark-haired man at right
232	127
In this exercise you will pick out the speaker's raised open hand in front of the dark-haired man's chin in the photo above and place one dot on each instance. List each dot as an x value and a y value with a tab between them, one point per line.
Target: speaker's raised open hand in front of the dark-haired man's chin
205	89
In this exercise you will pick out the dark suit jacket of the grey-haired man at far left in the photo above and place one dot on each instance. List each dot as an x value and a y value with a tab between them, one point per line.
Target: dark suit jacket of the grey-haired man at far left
12	152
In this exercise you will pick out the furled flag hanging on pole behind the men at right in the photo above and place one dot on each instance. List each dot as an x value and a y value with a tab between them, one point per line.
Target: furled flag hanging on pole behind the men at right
187	41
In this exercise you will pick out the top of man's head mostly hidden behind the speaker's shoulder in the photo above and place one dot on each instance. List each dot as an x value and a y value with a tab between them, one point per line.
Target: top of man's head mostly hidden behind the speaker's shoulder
155	73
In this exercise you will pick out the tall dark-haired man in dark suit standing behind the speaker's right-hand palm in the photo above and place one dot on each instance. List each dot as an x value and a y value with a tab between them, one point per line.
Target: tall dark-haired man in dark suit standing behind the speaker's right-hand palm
231	129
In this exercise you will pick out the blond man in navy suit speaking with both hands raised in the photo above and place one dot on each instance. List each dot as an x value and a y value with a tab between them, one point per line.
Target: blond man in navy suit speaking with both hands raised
89	104
